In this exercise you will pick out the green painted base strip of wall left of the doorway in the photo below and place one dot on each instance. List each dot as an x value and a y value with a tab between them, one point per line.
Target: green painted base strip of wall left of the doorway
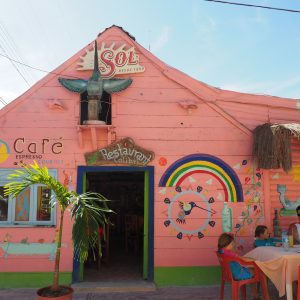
32	279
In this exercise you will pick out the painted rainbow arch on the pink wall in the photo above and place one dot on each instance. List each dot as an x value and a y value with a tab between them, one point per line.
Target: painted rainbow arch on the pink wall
207	164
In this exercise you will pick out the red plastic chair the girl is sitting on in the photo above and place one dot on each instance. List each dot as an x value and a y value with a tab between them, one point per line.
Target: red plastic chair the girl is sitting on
237	284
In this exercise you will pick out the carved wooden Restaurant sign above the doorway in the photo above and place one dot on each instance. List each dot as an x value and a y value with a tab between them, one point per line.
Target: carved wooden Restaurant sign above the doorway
126	155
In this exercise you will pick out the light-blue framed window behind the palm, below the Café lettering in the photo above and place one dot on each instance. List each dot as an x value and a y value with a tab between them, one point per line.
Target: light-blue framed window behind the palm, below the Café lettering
31	207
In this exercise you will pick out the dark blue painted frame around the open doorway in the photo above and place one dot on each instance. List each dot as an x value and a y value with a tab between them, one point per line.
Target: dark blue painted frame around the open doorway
82	170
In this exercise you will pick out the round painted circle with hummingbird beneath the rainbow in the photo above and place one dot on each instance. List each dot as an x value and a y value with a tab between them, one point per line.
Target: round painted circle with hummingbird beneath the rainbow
189	212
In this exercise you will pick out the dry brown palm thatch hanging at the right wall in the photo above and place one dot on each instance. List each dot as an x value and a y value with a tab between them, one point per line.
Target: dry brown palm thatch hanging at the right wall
272	145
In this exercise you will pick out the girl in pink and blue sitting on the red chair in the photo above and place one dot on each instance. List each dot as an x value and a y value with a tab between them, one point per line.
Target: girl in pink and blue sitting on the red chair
226	246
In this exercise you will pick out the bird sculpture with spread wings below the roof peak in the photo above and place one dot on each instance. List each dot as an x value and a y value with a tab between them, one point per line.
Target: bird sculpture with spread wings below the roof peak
95	87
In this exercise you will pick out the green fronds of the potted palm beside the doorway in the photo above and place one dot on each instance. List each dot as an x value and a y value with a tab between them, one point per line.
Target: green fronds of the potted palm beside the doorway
88	210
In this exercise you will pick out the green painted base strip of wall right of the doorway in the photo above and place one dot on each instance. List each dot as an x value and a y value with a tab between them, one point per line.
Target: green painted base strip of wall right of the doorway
167	276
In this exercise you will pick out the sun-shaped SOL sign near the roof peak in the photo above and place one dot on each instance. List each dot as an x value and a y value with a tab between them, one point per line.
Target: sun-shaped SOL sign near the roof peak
112	61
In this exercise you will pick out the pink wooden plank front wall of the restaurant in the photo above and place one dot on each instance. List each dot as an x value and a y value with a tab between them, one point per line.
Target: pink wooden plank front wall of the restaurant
148	111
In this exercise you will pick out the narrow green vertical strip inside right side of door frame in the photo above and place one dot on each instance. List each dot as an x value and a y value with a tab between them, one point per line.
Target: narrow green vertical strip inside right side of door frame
146	221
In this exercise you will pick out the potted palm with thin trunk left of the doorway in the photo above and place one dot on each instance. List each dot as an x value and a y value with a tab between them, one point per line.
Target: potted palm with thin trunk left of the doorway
88	210
